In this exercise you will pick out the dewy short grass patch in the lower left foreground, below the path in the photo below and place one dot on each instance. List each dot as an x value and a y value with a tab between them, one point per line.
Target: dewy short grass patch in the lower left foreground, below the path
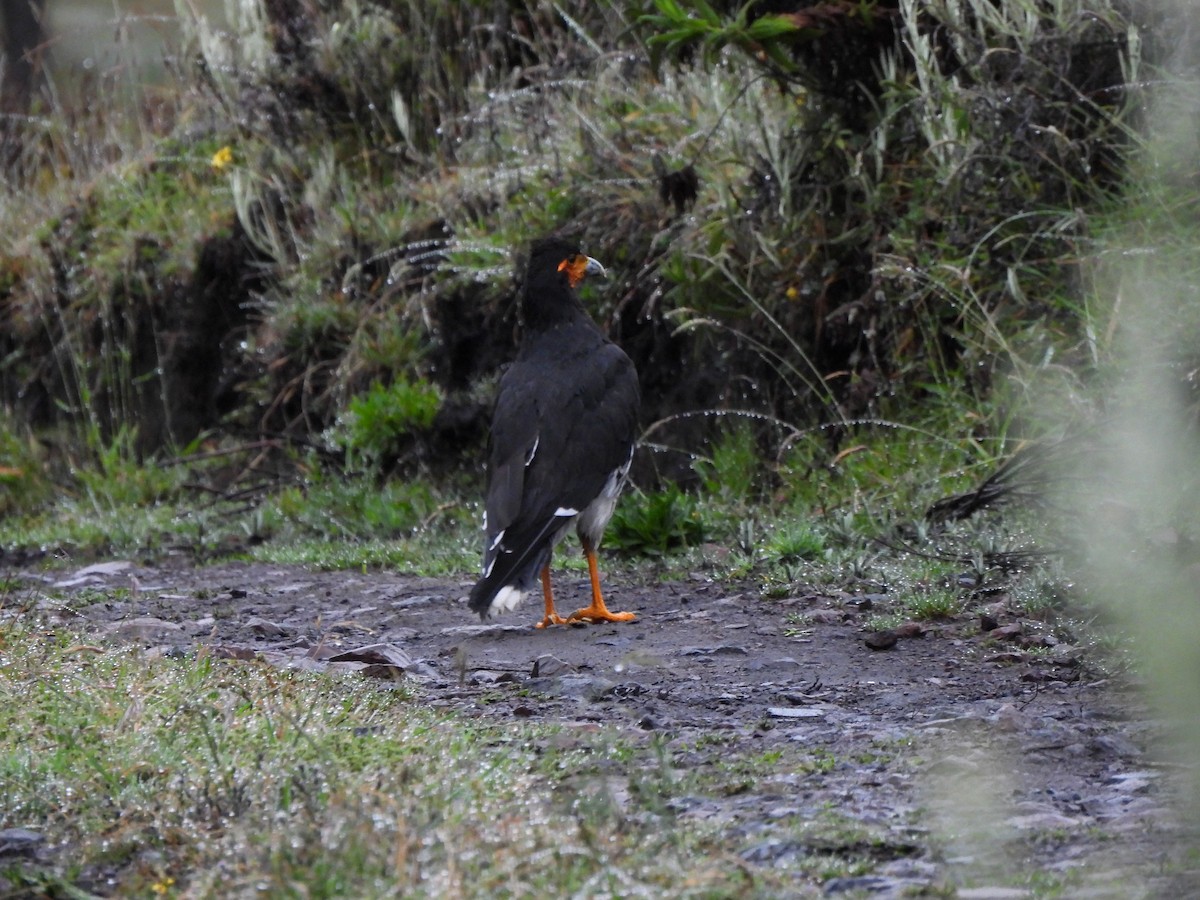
202	778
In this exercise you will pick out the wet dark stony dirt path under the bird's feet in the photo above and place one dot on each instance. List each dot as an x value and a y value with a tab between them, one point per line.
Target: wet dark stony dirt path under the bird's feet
970	760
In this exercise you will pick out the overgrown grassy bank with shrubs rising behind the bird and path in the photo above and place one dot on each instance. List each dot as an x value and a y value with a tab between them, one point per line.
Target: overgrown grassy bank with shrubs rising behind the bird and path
257	284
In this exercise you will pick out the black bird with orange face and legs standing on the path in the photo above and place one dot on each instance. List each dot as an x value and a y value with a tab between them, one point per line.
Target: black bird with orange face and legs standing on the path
562	440
